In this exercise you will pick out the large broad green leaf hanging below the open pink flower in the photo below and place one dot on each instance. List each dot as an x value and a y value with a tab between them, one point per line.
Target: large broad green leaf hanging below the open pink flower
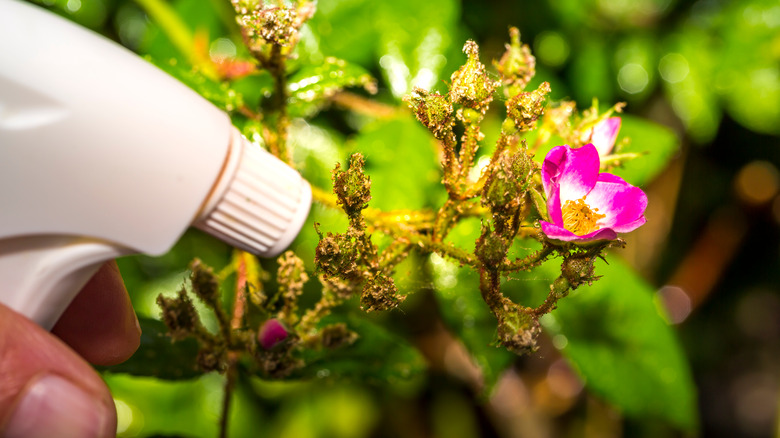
616	338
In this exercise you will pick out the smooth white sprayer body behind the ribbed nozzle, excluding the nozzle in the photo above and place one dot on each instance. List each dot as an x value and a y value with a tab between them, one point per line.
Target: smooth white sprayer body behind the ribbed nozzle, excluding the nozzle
95	141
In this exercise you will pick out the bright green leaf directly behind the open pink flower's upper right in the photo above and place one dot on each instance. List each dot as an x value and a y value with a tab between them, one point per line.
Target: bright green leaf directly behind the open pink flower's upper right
654	144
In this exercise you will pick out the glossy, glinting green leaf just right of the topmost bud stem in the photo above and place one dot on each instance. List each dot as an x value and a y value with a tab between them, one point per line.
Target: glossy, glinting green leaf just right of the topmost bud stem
312	85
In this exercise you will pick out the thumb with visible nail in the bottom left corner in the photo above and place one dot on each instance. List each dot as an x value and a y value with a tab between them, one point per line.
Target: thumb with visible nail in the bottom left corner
47	390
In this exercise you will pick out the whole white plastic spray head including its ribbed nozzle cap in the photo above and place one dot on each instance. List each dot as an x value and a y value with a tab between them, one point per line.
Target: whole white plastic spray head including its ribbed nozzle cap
104	155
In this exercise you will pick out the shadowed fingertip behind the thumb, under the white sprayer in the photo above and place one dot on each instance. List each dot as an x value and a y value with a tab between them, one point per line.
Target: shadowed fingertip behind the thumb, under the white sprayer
100	323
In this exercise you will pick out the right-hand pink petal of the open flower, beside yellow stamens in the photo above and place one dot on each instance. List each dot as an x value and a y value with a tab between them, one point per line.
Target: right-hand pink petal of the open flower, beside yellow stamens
622	203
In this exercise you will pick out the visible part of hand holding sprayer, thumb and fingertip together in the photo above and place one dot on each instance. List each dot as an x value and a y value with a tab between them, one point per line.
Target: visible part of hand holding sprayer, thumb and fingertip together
47	388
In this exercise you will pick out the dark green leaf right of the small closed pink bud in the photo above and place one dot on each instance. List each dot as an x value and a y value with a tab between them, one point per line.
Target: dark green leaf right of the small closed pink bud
378	356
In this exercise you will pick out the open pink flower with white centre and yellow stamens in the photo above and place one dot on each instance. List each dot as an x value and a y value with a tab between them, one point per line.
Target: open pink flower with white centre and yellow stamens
585	205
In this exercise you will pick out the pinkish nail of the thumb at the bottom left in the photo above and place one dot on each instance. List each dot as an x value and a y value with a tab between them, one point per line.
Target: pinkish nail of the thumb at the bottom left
54	407
